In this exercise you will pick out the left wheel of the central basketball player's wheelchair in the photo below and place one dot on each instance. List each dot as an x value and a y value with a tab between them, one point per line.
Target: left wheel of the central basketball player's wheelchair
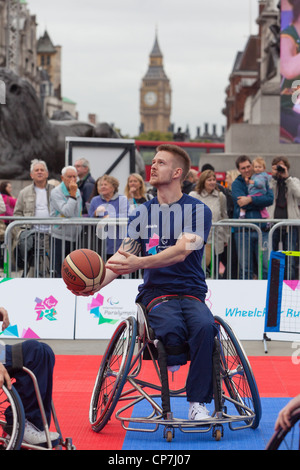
112	374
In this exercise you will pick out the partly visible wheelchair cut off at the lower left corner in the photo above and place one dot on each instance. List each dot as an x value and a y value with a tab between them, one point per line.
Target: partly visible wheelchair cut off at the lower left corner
12	432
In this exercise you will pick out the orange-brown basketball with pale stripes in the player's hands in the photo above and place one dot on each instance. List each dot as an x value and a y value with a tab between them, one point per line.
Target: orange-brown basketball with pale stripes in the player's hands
83	272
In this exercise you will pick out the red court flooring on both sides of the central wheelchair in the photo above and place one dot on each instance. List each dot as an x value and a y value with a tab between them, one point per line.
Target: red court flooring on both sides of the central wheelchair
74	378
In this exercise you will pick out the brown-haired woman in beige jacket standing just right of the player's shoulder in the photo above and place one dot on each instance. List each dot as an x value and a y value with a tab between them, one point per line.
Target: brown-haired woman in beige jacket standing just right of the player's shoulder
207	191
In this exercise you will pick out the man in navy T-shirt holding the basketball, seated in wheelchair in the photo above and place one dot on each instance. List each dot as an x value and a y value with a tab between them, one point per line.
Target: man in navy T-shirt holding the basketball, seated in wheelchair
166	238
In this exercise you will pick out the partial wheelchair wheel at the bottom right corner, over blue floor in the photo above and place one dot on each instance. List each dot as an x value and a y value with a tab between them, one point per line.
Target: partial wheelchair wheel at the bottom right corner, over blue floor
287	439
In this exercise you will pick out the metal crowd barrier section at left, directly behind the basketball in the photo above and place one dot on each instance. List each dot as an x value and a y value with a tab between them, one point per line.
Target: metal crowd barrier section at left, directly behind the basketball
31	249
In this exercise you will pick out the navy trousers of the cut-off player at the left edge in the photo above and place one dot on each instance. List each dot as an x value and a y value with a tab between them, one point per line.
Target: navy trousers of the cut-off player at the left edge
40	359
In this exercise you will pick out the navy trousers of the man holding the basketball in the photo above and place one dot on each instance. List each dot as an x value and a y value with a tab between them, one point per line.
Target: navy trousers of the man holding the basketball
180	320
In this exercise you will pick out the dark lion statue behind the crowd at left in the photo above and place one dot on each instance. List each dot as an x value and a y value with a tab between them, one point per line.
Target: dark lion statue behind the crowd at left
26	134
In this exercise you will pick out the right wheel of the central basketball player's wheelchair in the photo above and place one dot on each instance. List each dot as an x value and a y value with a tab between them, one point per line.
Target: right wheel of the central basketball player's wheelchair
237	374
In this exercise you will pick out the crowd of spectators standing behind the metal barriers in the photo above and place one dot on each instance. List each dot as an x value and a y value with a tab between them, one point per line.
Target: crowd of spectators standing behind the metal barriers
249	193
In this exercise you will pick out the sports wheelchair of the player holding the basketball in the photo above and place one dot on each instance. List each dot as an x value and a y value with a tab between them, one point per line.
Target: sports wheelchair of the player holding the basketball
120	376
